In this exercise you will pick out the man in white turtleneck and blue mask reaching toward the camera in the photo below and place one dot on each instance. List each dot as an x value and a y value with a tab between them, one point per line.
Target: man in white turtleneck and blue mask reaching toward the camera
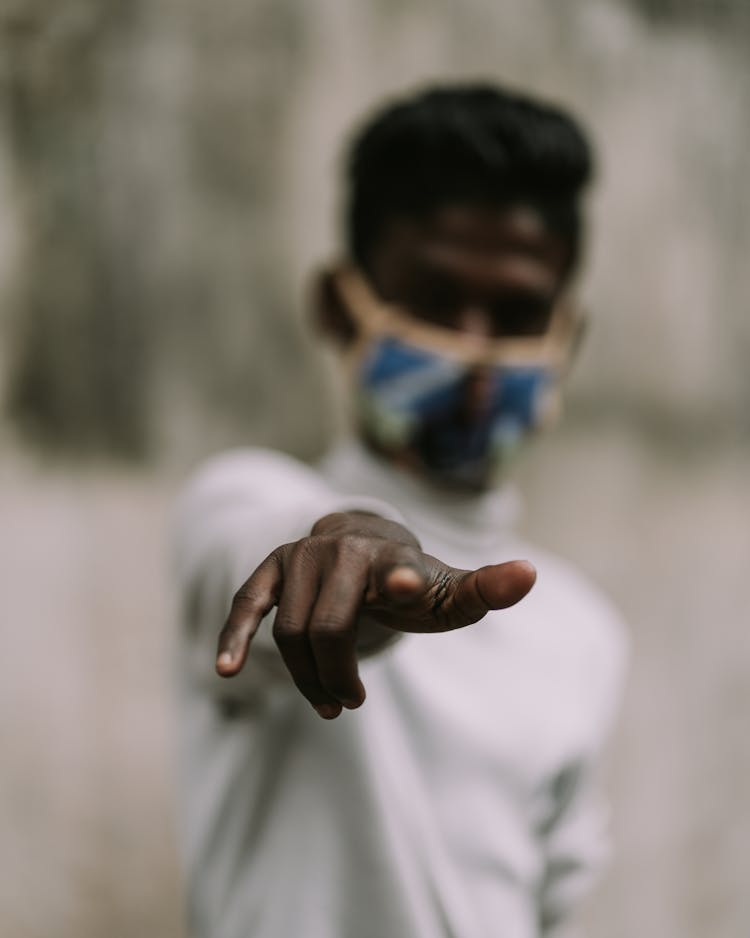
459	799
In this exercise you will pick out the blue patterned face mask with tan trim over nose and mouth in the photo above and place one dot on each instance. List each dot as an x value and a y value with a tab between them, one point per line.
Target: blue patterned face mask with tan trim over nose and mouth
451	406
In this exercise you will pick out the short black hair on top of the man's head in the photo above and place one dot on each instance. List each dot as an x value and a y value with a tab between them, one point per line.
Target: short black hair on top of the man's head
470	143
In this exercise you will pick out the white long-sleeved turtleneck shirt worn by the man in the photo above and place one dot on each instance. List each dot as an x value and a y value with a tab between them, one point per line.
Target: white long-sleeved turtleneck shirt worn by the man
459	801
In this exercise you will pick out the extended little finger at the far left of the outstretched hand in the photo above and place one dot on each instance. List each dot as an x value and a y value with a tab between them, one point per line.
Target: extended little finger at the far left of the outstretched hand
252	601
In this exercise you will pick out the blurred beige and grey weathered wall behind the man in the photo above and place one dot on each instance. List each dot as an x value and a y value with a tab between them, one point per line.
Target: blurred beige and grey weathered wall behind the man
168	177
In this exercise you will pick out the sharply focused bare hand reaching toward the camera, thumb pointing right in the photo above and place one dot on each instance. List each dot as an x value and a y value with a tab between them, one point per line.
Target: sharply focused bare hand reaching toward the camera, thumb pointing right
355	567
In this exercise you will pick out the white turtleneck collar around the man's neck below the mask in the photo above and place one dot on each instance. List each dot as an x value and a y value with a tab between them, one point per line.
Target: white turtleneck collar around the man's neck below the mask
481	520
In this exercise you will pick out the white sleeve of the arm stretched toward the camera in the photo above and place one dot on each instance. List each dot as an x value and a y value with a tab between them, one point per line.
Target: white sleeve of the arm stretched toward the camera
231	514
